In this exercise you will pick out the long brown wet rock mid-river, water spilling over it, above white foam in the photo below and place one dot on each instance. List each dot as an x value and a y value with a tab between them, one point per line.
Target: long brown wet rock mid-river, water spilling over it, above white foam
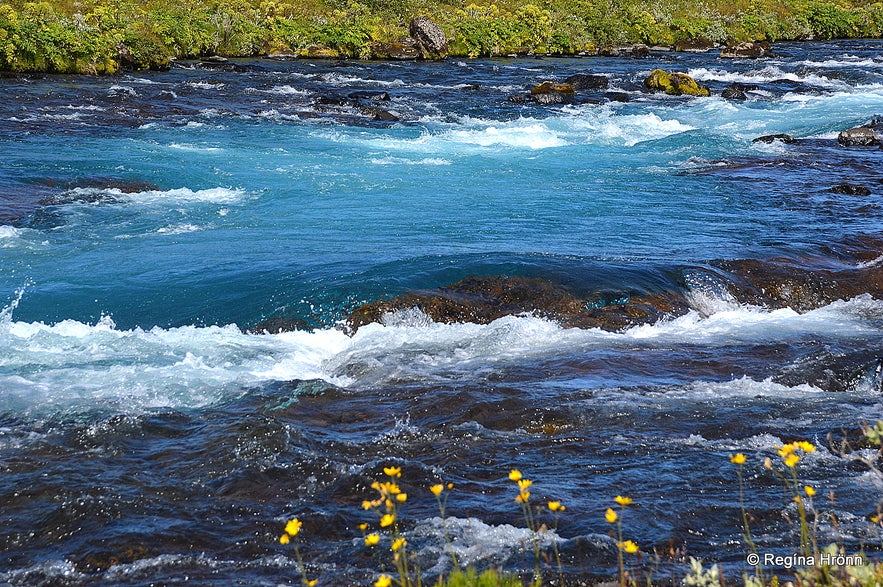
484	299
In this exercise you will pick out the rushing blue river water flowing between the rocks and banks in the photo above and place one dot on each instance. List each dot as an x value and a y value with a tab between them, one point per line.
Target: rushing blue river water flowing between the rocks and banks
148	220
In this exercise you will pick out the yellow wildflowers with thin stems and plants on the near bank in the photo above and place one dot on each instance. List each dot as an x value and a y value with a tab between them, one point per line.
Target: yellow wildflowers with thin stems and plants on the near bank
811	563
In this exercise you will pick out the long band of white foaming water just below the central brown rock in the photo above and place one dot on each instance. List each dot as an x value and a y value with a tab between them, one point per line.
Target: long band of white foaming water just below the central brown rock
77	365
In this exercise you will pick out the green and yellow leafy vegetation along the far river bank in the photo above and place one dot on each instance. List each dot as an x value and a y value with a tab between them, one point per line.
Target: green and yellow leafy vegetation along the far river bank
101	36
